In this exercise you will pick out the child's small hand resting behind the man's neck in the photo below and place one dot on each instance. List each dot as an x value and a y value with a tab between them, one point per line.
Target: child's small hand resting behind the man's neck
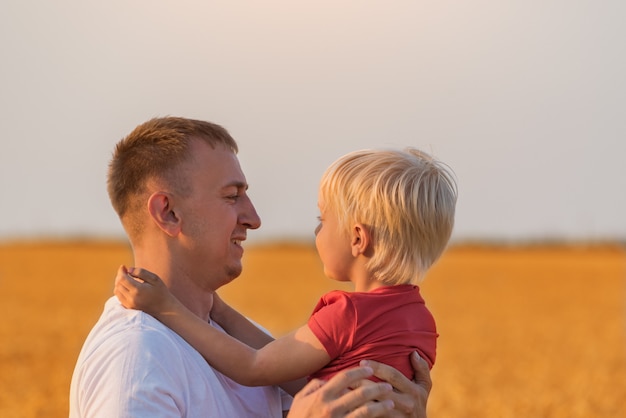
137	288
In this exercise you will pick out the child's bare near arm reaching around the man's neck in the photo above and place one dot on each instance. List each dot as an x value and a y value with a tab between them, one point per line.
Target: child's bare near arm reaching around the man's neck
291	357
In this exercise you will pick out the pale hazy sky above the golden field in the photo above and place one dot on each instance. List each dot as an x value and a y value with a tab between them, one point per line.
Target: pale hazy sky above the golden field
525	100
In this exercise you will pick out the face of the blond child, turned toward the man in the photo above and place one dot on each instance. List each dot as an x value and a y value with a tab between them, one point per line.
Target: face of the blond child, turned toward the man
333	245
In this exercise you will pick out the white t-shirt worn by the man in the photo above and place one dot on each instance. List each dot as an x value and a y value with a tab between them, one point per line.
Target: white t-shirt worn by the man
131	365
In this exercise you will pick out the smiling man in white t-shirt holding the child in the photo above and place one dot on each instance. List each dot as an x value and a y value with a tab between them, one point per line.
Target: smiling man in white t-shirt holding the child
181	196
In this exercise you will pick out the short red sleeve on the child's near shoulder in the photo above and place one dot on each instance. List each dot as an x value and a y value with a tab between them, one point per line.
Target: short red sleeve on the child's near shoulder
333	322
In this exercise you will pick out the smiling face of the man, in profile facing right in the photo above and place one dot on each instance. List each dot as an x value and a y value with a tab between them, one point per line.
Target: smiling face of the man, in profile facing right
215	216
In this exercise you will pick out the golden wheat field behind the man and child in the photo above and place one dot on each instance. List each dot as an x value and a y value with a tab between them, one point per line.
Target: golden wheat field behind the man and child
524	331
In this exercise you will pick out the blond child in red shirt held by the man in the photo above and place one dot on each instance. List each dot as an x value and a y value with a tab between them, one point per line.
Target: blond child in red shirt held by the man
385	217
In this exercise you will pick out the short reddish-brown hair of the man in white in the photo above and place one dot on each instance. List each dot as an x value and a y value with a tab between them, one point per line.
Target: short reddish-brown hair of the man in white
155	150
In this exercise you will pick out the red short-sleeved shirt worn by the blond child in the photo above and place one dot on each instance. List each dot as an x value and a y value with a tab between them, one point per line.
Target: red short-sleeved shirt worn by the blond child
386	325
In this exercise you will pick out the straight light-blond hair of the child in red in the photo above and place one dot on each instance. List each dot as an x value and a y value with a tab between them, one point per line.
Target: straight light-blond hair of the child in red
406	199
